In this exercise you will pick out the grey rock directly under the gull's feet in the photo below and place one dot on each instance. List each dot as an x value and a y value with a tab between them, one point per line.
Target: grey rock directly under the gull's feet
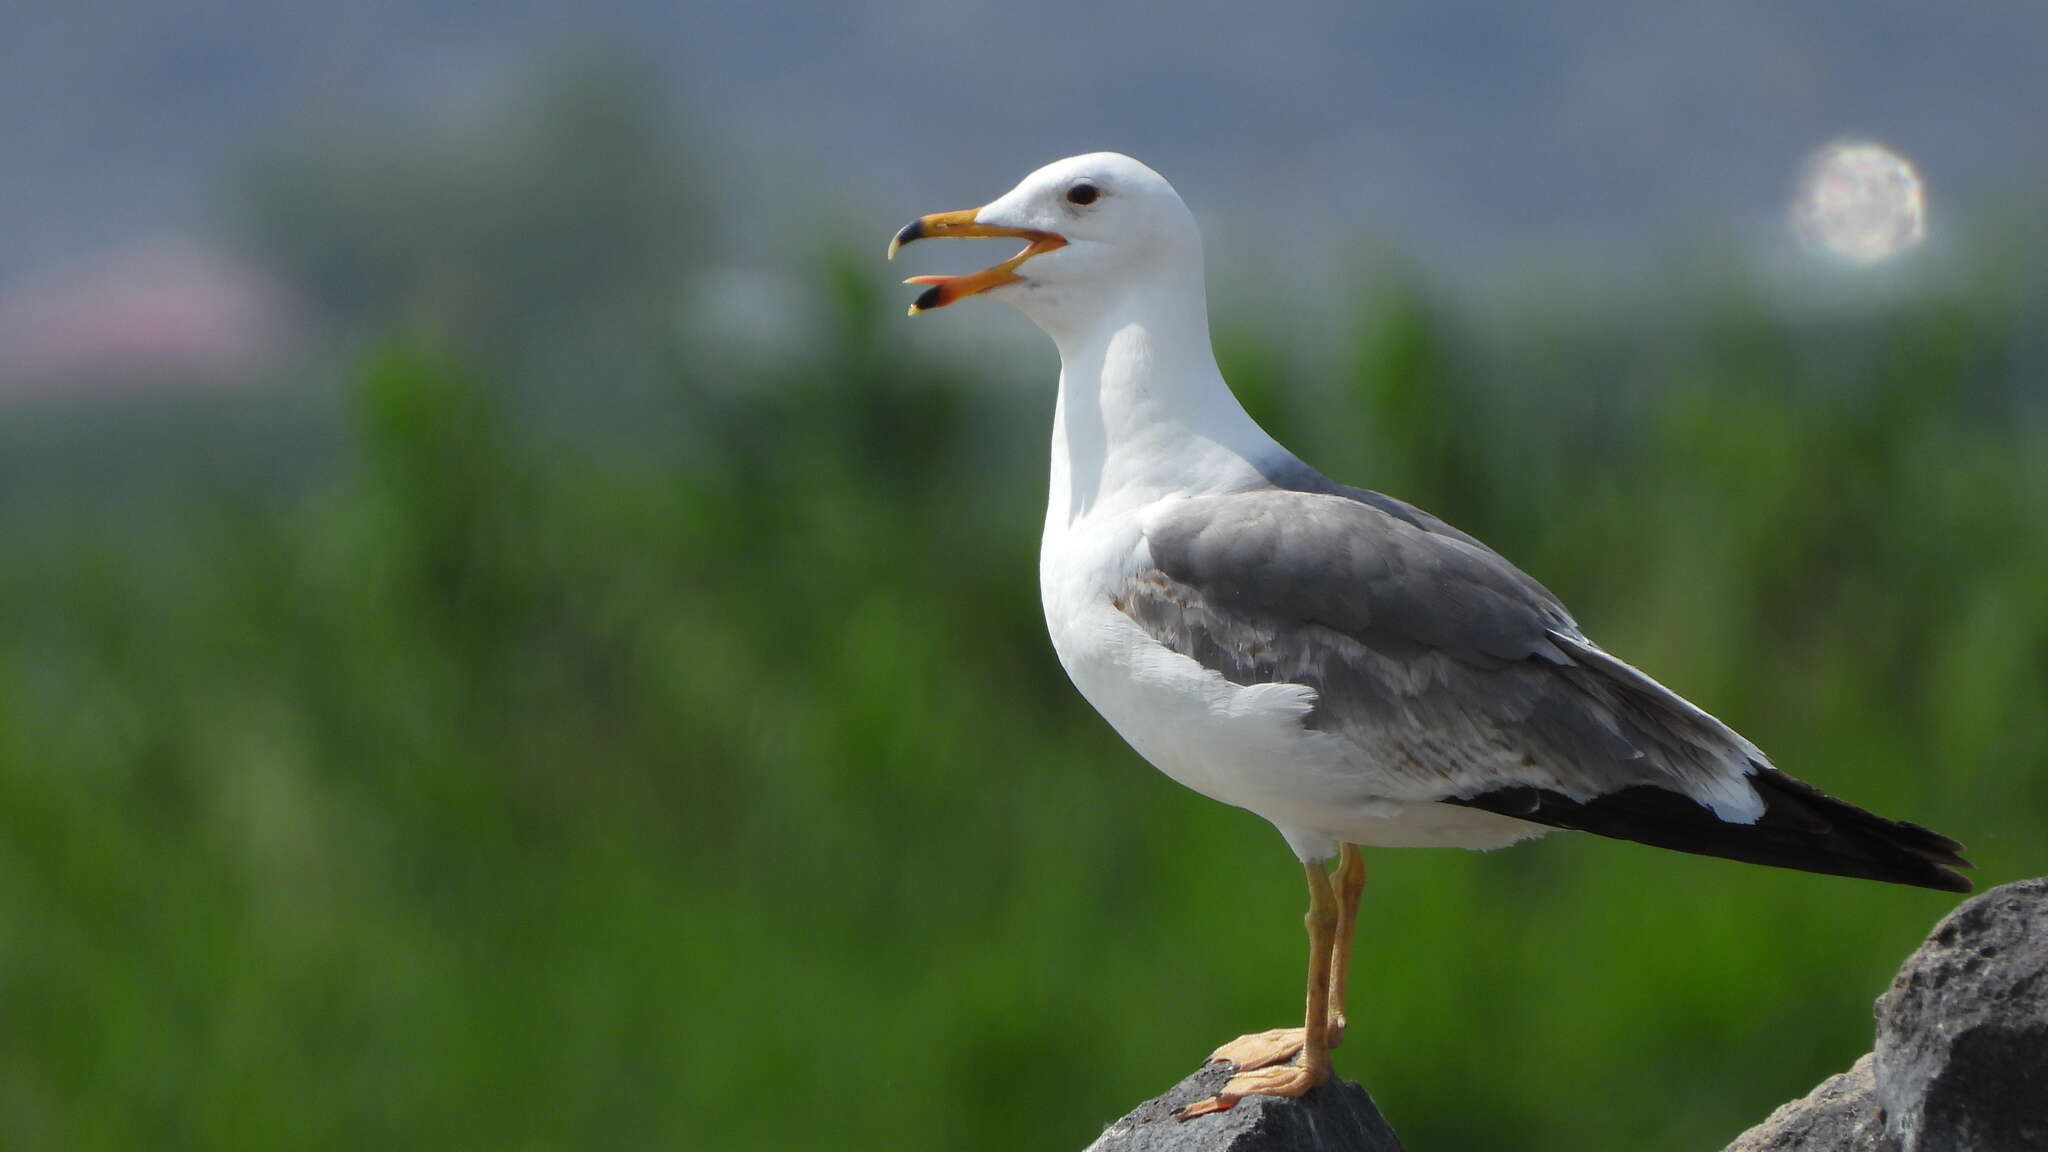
1332	1118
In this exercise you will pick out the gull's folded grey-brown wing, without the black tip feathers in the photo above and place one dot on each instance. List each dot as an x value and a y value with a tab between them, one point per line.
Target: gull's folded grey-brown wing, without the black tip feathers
1449	665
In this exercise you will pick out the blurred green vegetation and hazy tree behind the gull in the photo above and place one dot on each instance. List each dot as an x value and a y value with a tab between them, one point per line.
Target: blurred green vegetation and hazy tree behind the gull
544	718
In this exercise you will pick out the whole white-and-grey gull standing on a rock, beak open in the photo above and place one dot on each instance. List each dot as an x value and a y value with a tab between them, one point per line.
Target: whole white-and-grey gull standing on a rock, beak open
1336	661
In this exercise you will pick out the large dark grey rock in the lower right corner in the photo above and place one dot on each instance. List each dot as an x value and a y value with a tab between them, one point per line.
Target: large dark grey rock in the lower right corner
1963	1034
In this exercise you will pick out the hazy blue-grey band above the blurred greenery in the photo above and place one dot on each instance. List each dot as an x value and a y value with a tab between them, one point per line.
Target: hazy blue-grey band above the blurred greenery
1465	136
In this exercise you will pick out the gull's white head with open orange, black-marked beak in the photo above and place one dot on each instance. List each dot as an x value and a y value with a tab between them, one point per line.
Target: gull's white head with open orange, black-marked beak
1095	229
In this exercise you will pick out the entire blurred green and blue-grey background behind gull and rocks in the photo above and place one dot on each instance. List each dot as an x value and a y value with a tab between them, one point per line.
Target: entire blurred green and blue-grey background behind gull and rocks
513	641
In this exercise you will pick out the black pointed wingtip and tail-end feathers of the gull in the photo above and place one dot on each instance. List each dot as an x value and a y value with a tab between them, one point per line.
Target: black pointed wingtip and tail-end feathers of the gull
1801	829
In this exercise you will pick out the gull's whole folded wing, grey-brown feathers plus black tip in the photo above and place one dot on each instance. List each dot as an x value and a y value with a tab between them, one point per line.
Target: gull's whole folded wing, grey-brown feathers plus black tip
1467	682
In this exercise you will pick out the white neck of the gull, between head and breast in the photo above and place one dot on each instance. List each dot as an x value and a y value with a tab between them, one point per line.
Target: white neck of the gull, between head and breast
1144	411
